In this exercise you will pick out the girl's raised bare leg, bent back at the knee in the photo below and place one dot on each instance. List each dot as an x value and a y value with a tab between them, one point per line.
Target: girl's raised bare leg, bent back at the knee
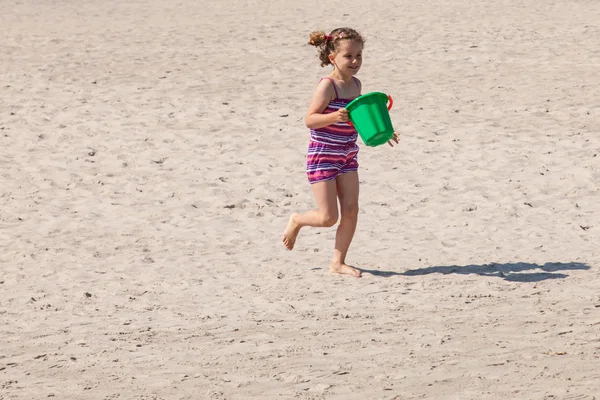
326	214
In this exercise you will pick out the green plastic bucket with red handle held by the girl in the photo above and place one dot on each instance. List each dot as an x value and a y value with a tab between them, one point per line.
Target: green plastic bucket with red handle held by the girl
370	116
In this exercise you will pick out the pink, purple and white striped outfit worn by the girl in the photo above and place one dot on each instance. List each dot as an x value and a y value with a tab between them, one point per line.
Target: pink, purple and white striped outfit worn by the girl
332	149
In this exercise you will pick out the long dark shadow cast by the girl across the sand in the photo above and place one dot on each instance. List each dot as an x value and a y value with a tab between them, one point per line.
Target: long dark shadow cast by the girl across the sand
513	272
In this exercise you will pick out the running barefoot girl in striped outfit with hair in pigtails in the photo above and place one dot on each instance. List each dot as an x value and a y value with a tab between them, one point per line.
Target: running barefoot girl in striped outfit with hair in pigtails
332	165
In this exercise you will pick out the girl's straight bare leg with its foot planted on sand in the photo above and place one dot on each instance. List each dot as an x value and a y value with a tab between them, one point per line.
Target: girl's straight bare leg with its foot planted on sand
347	191
